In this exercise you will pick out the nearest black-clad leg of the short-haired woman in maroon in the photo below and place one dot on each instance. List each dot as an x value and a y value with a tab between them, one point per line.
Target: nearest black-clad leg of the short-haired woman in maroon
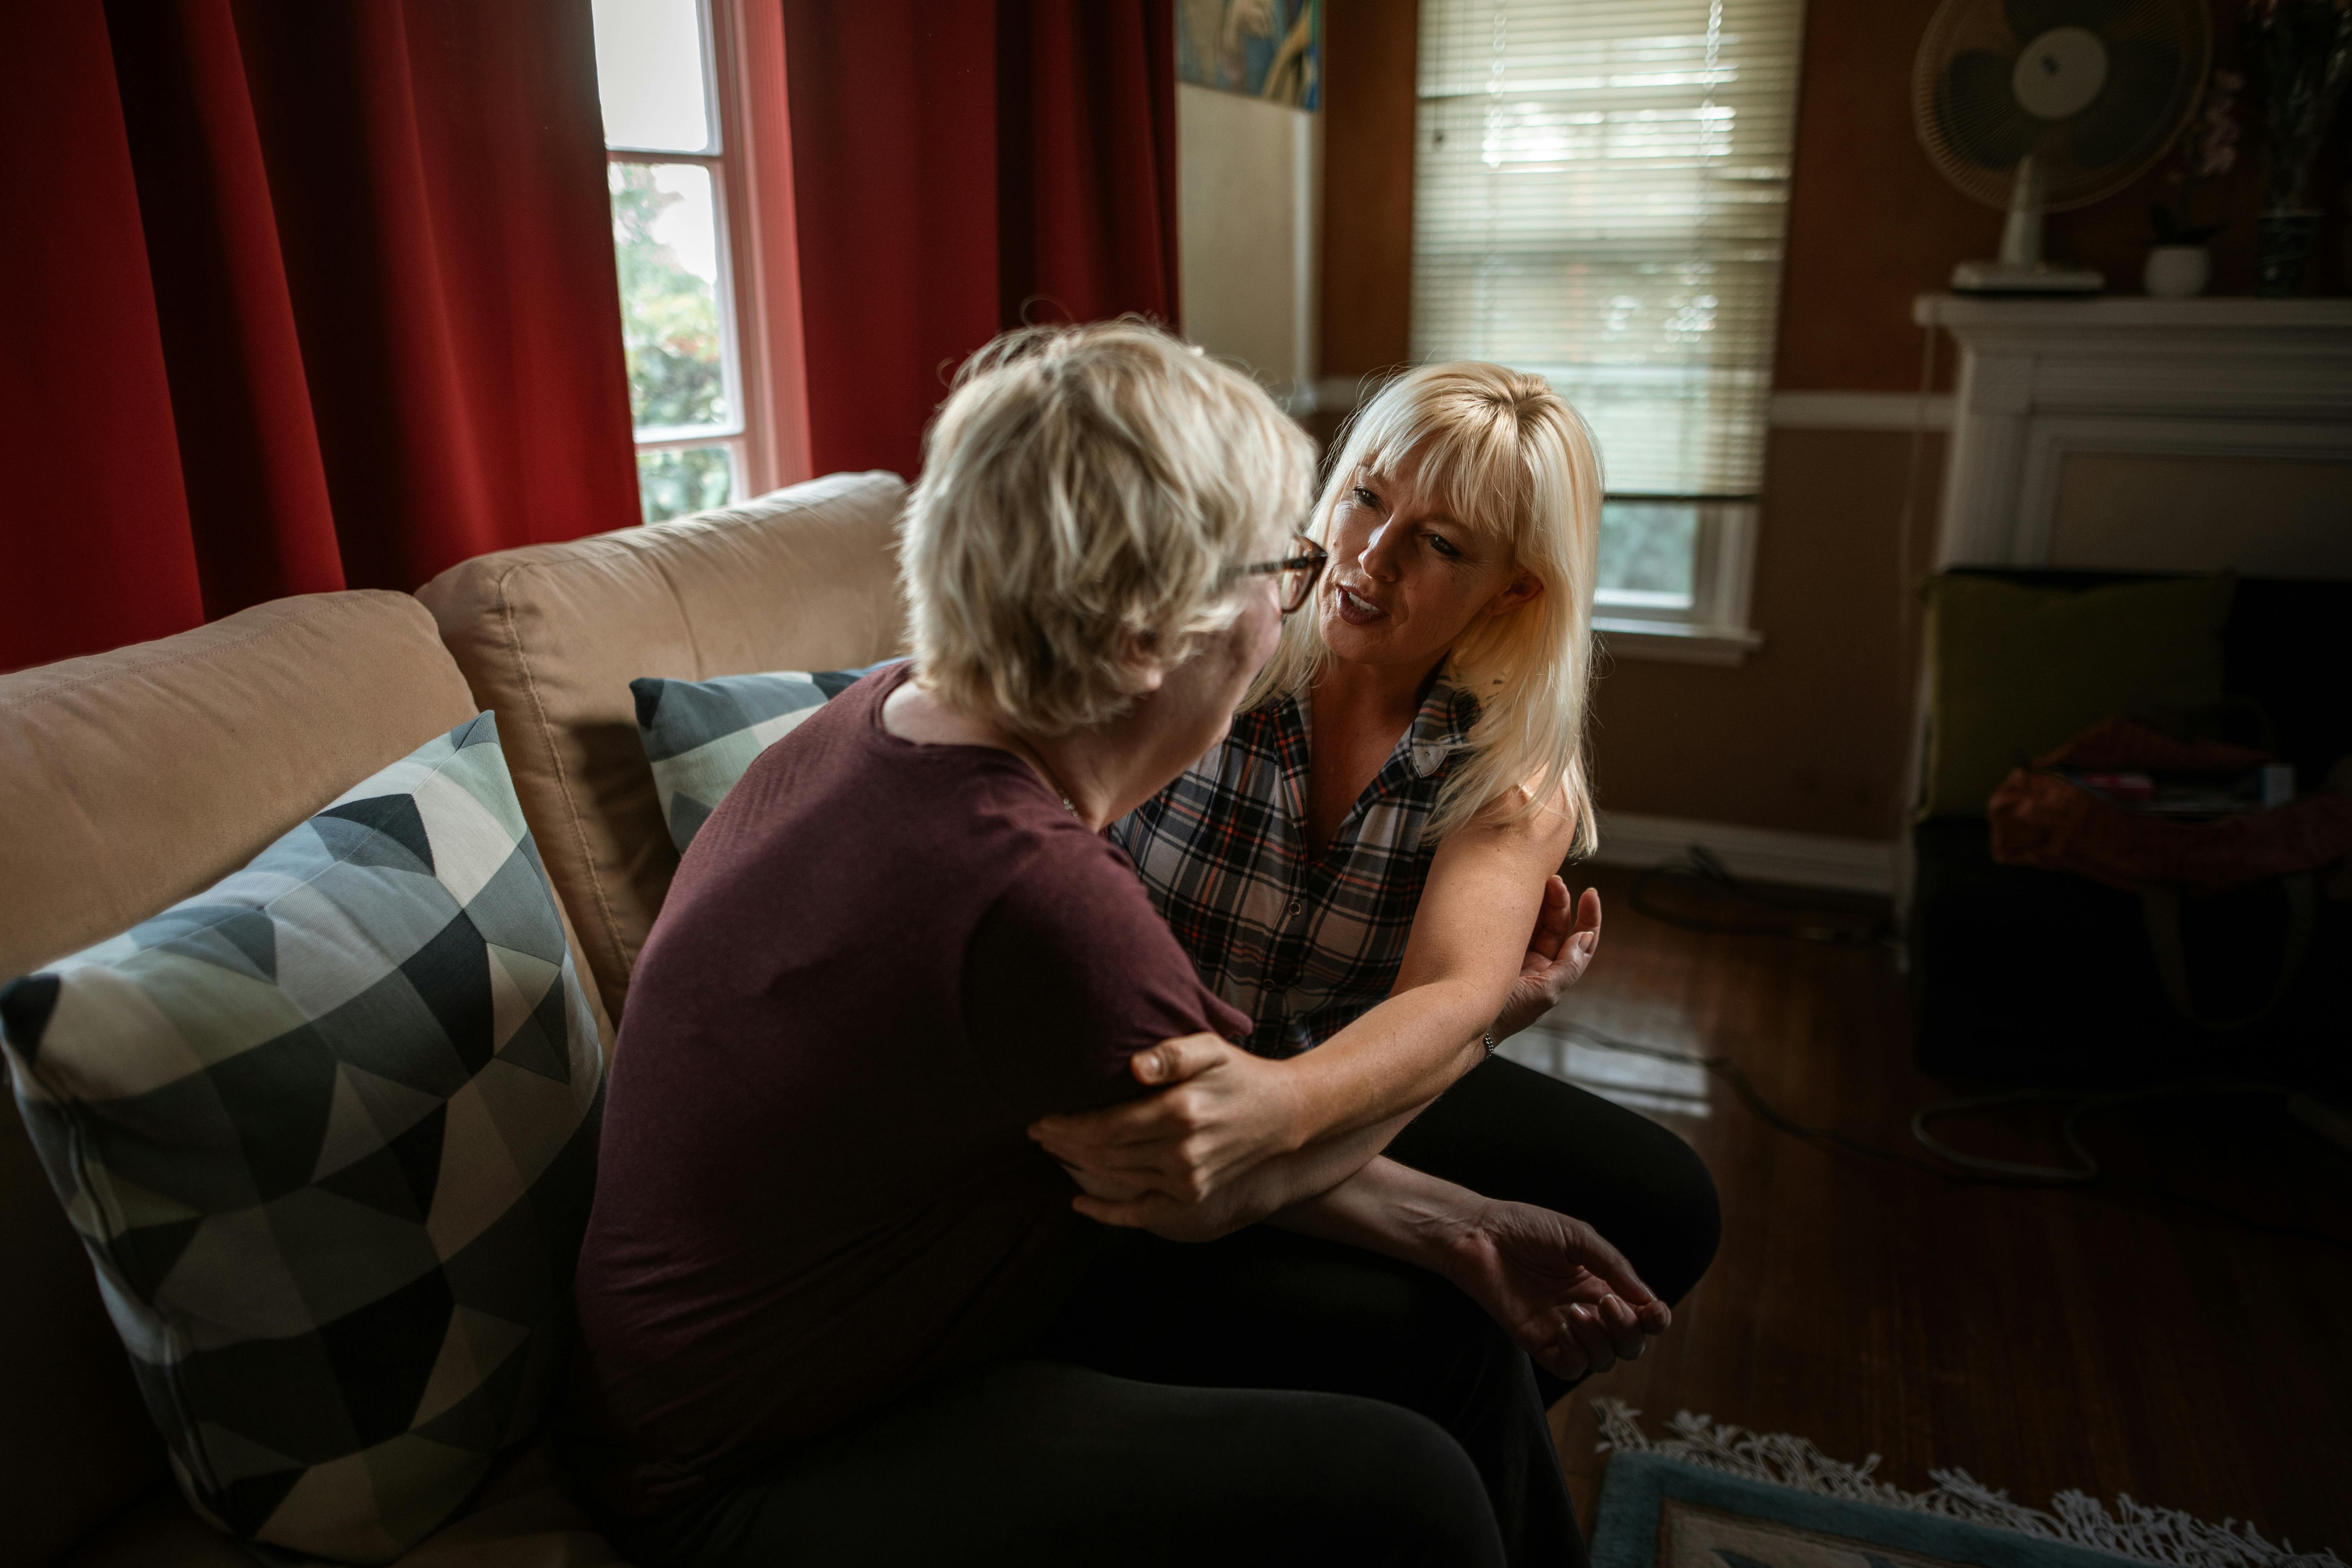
1062	1466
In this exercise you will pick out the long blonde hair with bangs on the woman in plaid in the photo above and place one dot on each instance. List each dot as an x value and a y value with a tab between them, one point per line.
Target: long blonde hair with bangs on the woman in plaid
1511	460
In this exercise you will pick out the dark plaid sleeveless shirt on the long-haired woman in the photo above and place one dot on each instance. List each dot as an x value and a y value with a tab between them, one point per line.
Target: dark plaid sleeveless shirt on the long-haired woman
1302	946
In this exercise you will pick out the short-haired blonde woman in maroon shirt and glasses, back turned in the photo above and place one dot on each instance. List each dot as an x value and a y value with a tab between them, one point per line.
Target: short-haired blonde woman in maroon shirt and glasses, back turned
834	1304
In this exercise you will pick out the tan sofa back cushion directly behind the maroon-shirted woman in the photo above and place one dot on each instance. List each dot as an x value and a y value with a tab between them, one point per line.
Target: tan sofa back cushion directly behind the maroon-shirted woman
552	638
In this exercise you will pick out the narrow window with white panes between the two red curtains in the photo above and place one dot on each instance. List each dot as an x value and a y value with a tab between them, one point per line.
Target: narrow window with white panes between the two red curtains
686	229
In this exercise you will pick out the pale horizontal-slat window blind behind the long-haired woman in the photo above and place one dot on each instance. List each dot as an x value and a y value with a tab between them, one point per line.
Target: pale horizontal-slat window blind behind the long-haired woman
1601	199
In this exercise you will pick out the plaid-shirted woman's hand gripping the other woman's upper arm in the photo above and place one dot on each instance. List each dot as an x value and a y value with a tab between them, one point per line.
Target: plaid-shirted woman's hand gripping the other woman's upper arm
1217	1115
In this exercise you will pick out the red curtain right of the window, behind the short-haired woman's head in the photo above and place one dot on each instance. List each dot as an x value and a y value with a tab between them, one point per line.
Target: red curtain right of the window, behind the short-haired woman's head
961	168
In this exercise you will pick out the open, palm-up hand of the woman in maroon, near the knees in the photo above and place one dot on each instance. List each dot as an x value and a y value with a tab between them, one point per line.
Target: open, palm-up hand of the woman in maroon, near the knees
1563	1294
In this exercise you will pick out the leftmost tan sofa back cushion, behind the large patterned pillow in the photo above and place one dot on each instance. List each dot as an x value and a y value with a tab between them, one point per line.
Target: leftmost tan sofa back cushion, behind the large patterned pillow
128	782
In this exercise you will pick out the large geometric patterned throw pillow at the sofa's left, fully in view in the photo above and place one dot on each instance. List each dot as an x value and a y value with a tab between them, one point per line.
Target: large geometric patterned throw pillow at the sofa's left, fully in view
328	1132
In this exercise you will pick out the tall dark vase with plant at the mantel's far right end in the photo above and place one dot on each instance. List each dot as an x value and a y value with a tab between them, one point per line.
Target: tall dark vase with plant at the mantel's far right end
2297	58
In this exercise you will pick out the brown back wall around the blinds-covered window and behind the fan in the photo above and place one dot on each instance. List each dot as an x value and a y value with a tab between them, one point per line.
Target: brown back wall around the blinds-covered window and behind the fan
1810	732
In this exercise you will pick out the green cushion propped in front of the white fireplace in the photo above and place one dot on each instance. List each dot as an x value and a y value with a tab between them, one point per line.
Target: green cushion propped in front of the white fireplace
2019	671
